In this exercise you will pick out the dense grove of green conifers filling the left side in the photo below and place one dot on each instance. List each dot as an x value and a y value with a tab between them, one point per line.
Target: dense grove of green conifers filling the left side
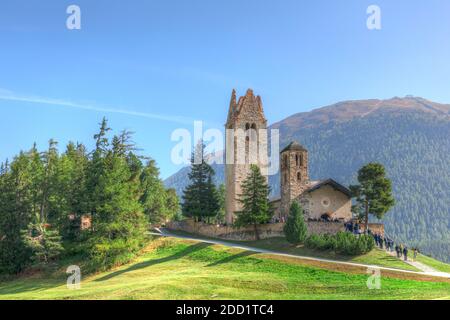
45	195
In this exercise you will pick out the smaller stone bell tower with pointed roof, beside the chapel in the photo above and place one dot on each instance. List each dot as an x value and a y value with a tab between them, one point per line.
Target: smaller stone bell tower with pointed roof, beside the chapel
294	176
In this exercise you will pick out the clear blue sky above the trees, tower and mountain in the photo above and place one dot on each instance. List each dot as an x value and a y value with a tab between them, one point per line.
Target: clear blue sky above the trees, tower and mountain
155	66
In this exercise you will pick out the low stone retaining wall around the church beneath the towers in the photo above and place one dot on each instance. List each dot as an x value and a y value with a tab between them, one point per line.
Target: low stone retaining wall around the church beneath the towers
266	231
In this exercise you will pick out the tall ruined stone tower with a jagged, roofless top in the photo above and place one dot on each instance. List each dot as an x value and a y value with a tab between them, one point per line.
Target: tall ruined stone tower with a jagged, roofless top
246	144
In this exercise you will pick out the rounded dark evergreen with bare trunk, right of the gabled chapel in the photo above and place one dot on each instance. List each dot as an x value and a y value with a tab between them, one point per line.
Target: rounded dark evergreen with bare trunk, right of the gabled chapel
373	194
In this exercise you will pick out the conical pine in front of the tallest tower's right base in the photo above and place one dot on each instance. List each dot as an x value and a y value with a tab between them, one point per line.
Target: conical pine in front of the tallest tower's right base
255	201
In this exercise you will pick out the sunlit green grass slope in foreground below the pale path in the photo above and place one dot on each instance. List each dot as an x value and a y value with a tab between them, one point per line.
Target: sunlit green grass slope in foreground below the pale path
180	269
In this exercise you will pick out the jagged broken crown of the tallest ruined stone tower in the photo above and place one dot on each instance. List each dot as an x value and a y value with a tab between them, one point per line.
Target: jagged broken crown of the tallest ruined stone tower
247	107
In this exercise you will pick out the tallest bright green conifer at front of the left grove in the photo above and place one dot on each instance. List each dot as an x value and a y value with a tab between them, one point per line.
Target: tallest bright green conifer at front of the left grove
119	223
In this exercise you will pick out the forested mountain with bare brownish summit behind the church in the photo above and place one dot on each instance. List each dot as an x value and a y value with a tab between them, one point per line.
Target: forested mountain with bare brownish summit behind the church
410	136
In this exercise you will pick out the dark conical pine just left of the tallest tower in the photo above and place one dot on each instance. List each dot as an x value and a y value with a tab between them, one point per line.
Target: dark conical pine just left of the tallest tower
200	198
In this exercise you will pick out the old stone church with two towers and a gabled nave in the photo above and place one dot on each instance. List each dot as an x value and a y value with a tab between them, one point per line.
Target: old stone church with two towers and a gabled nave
321	200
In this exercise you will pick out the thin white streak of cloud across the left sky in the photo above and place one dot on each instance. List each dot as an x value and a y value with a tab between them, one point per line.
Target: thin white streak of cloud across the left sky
11	96
